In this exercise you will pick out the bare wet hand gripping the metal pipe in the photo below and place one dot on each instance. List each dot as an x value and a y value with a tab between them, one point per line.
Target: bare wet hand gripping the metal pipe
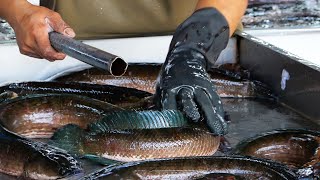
31	25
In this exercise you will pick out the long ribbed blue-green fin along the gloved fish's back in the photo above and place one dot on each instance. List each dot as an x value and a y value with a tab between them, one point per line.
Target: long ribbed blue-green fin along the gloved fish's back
122	120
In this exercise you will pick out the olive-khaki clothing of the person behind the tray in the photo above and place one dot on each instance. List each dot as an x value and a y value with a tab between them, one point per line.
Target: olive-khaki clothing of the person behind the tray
122	18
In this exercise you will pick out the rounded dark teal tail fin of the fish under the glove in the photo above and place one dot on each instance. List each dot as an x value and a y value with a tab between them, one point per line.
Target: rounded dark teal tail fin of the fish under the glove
69	138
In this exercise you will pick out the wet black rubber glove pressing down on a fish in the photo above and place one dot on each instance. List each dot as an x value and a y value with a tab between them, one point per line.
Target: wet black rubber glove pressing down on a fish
184	83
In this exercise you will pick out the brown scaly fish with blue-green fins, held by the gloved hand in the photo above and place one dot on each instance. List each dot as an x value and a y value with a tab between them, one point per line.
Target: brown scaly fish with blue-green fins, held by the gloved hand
144	137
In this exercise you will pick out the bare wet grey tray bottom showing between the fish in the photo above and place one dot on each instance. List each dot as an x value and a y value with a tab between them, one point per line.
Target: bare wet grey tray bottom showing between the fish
248	118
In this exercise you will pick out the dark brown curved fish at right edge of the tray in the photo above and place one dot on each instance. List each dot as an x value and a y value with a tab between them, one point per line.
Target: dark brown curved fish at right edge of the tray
297	149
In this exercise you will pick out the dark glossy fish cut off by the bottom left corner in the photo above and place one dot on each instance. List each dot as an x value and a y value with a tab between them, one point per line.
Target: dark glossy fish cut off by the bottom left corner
22	158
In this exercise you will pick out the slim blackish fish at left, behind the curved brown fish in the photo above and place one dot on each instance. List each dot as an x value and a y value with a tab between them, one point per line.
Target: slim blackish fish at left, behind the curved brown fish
112	94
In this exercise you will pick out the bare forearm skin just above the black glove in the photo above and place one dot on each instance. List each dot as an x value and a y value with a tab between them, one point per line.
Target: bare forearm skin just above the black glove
232	10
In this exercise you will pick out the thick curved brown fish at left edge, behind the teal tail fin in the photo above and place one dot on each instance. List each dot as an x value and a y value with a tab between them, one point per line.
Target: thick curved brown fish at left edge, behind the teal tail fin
38	116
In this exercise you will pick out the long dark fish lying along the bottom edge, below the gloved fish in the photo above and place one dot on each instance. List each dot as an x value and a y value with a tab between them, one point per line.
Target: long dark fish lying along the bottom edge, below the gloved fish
196	168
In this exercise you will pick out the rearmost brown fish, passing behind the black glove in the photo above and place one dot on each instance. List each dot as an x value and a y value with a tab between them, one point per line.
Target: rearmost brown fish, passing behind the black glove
144	76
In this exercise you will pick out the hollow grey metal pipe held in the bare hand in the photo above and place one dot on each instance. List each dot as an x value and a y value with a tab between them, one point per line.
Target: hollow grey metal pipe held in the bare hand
88	54
